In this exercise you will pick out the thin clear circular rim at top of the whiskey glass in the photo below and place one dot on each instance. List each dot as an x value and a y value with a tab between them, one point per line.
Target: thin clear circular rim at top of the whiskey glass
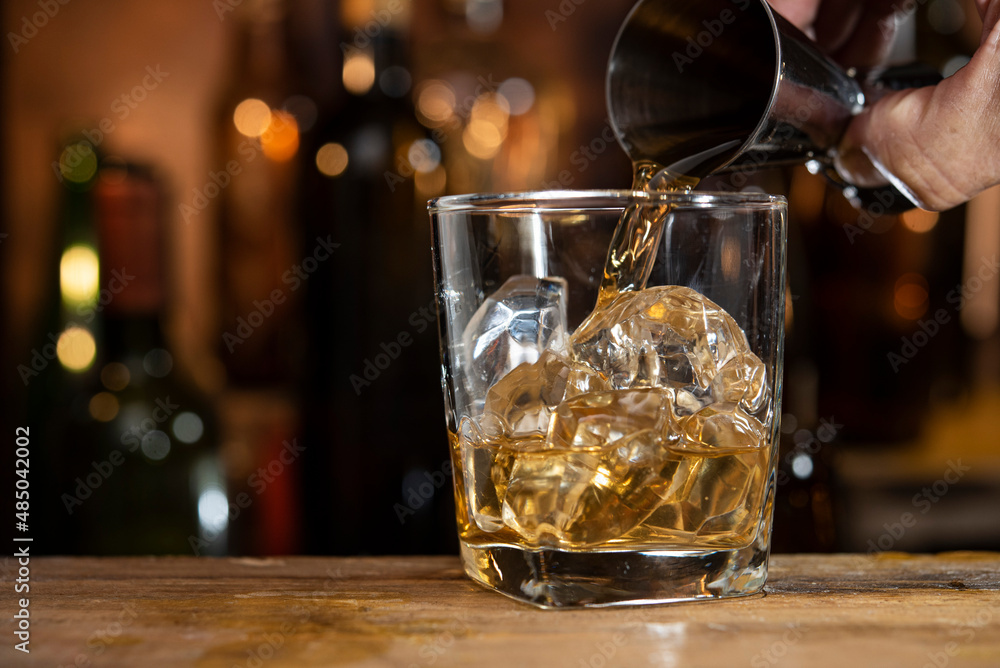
551	200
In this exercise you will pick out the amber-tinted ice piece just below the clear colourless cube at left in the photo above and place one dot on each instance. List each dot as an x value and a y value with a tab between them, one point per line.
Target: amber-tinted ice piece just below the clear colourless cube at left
523	400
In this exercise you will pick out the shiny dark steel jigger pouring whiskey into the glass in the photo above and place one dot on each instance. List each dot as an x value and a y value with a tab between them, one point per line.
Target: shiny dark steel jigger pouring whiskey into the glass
715	86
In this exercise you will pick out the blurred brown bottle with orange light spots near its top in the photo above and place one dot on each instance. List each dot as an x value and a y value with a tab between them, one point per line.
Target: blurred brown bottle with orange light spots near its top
266	113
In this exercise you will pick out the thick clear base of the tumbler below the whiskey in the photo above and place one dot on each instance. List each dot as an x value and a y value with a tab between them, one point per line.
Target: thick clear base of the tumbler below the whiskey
551	578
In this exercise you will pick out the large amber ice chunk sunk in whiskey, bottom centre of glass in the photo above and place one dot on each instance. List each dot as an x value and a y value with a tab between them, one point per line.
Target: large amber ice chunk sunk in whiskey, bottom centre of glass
599	474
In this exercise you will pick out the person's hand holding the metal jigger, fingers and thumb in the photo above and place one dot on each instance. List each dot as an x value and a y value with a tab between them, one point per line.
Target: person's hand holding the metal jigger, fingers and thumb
941	144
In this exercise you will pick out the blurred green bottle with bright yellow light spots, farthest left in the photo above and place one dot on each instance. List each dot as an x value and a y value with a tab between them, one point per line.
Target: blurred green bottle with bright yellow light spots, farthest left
56	384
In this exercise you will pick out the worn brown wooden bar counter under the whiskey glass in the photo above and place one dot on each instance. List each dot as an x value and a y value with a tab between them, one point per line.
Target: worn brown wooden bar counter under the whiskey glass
848	611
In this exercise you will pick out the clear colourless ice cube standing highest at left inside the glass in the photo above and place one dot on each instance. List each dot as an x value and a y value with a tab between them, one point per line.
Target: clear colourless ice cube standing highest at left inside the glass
525	316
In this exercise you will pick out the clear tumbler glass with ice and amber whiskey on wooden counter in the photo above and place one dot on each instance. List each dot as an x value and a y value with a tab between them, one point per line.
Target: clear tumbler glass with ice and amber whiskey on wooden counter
621	454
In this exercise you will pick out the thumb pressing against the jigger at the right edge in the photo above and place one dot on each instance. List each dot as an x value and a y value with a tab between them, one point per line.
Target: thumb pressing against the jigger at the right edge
939	144
